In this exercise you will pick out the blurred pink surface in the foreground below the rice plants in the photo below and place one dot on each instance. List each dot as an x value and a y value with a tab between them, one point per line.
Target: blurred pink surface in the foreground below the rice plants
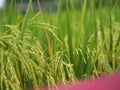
109	82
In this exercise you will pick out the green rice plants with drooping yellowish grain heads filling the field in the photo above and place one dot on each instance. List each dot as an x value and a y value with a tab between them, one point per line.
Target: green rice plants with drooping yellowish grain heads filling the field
45	48
